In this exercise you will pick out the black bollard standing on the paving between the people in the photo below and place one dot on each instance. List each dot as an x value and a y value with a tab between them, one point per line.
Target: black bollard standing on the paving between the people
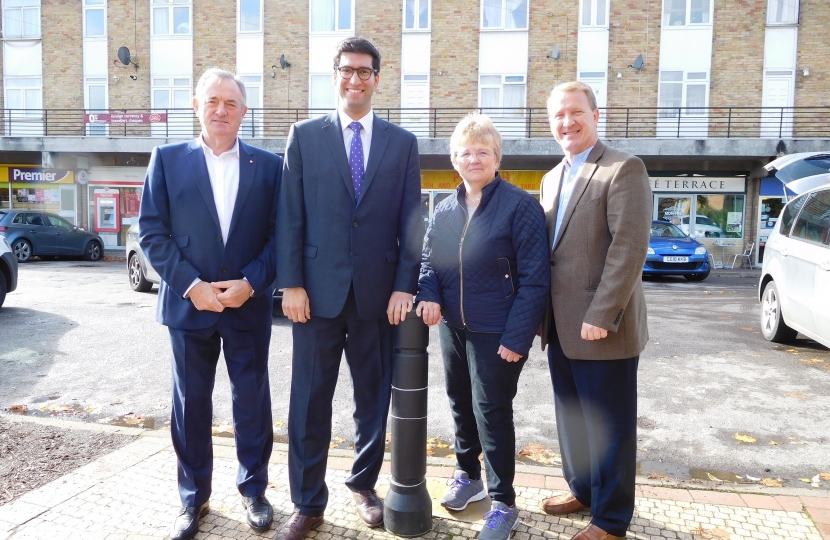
407	508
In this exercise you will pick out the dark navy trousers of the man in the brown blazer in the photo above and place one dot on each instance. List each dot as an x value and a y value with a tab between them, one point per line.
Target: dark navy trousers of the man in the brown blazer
596	422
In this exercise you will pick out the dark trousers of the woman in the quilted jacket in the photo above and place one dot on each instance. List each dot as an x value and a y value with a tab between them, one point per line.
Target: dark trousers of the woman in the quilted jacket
481	386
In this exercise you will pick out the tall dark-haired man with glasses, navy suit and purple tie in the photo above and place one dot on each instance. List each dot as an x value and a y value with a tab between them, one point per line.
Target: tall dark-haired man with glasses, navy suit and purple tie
348	257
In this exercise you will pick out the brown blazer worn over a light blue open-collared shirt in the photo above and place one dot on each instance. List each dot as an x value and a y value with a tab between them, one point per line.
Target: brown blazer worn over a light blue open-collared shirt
597	262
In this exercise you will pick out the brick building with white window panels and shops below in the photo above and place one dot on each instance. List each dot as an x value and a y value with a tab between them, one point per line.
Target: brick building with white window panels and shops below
705	91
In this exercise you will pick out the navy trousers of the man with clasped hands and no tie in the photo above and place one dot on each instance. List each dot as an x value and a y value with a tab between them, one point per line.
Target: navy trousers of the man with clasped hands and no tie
195	355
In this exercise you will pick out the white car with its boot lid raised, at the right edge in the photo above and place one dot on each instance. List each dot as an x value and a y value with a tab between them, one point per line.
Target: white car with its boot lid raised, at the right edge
795	279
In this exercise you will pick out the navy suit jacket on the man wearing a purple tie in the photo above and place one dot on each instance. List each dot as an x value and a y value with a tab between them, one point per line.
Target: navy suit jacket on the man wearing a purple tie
329	241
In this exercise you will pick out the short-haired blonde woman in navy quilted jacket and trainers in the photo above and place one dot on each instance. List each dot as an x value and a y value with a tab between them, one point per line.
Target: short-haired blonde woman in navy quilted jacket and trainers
485	276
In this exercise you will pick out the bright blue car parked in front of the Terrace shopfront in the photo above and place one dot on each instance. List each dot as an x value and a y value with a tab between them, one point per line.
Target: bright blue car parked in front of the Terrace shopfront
672	253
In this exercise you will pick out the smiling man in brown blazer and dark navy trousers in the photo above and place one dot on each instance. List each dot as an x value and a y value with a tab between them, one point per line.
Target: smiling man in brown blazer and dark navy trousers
597	206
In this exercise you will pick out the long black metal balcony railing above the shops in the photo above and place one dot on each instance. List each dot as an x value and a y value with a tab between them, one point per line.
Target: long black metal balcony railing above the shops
513	123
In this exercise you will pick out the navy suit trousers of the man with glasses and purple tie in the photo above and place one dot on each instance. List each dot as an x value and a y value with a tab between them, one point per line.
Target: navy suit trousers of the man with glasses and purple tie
318	346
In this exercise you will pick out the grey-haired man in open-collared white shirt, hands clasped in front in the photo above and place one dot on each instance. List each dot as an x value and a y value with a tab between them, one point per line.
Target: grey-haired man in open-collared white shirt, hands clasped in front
208	223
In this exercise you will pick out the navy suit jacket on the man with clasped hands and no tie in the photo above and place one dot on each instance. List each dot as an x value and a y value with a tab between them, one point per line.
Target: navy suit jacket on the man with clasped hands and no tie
180	233
